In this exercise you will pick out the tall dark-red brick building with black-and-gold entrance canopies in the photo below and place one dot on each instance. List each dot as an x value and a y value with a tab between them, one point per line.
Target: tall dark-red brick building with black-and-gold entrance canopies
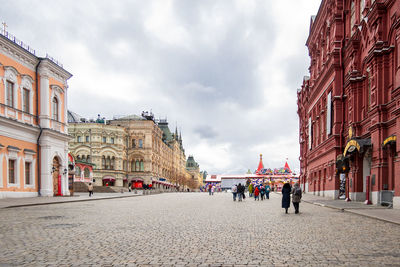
349	106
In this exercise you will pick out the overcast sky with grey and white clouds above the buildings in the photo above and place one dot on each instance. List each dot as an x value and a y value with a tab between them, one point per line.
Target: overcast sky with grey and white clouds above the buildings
225	72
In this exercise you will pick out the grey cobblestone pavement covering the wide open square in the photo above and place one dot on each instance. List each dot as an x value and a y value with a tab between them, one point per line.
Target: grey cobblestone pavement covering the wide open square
193	229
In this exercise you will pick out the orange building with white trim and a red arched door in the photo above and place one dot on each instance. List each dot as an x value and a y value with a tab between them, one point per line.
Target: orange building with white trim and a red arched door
33	122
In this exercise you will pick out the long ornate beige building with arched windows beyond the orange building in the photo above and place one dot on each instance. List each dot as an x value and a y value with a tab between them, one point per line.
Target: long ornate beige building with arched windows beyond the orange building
130	148
